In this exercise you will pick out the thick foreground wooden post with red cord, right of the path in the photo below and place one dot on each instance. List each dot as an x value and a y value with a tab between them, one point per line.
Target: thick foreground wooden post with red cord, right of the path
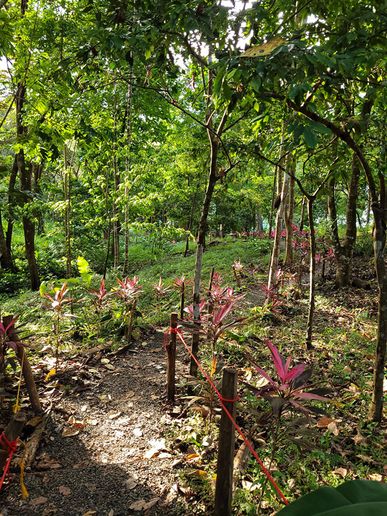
224	472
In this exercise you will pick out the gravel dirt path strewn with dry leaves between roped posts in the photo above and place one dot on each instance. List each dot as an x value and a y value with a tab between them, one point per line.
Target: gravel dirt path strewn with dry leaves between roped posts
119	416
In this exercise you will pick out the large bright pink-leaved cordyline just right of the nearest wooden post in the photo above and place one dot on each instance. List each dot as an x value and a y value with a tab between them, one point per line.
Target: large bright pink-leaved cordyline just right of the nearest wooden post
288	388
